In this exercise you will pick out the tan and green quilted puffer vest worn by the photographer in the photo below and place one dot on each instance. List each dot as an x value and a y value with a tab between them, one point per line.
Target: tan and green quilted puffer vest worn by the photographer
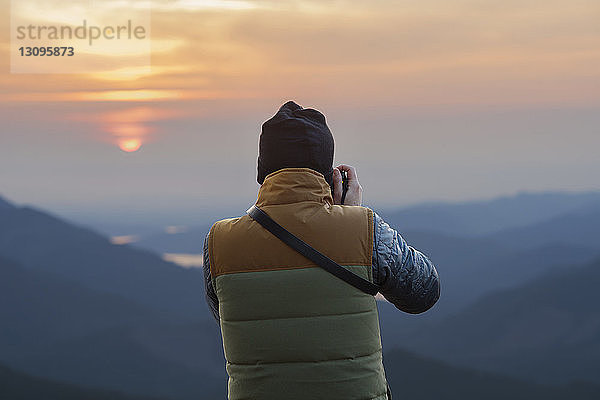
290	329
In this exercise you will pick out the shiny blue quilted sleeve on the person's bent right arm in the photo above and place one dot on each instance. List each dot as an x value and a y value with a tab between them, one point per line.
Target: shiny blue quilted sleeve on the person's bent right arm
406	277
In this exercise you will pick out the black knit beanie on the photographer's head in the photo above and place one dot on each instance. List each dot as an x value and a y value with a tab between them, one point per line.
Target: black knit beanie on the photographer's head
295	137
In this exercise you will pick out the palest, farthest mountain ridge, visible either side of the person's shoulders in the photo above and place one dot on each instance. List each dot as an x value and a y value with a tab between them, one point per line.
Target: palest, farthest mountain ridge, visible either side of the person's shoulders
473	218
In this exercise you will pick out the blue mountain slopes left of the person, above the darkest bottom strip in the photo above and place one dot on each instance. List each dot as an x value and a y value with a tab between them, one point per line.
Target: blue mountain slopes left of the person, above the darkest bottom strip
82	310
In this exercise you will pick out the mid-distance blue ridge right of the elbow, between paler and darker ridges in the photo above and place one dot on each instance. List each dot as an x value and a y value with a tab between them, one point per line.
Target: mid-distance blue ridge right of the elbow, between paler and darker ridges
471	267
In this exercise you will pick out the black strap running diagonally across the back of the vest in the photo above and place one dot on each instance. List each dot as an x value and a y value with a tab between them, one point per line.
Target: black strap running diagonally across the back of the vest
309	252
